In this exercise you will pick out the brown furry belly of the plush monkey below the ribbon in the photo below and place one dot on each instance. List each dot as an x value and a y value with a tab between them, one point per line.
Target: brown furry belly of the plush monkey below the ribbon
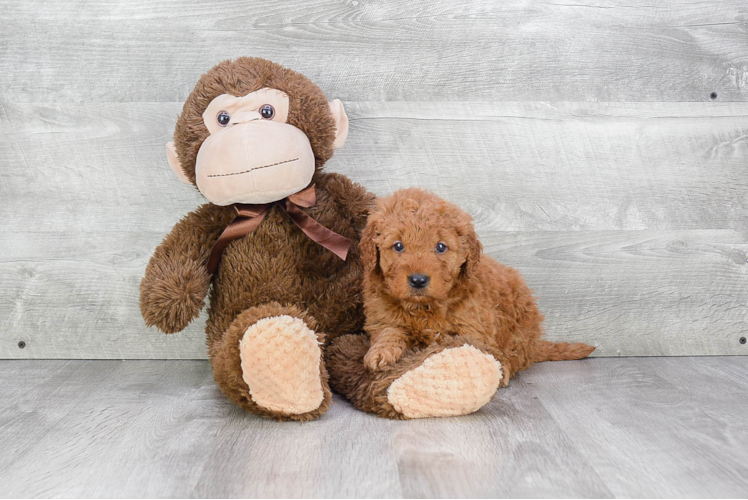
279	263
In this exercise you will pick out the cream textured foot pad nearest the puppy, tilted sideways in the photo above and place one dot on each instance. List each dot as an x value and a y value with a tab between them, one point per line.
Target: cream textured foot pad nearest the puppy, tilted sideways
455	381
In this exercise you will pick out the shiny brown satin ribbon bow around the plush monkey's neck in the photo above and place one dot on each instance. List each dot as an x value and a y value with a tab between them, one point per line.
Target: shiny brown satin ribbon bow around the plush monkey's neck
249	217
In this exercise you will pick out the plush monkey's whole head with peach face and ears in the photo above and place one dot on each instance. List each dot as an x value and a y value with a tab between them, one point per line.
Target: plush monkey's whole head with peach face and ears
253	131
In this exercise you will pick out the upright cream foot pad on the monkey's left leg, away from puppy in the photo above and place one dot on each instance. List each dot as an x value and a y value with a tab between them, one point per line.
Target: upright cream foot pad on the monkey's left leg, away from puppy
280	364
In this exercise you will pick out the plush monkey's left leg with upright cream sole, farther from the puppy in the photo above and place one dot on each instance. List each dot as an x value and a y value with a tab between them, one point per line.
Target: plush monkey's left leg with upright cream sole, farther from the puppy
269	362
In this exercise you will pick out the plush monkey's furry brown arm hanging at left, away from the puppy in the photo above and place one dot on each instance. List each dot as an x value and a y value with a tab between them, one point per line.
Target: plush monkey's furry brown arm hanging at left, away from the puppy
176	280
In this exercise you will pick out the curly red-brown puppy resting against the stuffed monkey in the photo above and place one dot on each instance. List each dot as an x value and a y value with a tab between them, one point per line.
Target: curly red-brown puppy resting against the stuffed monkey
416	233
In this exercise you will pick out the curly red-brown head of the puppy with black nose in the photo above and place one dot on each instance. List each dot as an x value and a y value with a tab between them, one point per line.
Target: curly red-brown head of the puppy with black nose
418	246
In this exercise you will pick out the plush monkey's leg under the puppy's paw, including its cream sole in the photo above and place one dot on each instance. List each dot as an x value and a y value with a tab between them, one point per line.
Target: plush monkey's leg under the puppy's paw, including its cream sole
456	377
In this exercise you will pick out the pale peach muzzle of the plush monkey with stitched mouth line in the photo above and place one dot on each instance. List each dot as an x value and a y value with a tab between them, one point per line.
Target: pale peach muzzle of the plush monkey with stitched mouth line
258	161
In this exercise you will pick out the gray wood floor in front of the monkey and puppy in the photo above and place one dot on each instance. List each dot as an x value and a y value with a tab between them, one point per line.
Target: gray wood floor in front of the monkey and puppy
598	428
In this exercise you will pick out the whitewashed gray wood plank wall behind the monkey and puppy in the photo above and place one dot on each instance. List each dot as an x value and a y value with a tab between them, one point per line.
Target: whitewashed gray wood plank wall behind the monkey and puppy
582	138
